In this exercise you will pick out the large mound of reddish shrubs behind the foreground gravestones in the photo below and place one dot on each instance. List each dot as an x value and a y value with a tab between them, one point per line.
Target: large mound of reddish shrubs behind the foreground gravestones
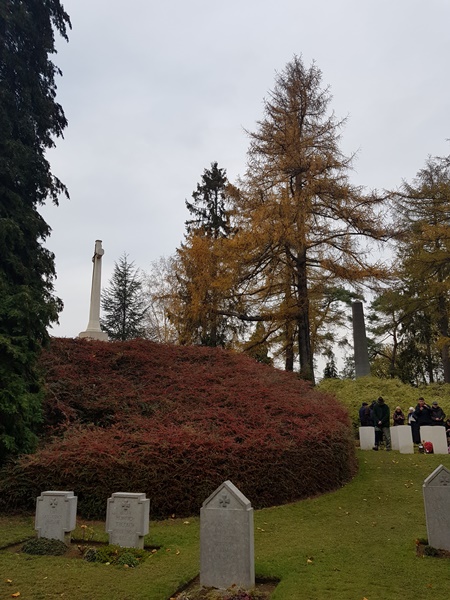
175	422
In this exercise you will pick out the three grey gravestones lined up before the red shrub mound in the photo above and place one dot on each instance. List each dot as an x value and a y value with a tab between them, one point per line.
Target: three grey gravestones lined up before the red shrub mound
226	529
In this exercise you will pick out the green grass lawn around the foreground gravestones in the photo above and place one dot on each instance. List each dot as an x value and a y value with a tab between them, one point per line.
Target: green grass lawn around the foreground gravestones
358	542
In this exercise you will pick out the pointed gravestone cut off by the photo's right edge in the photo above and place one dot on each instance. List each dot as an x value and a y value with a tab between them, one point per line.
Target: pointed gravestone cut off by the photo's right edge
436	495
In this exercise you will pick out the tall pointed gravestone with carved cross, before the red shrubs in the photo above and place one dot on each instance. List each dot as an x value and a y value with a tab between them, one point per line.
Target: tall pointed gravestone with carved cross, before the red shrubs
227	555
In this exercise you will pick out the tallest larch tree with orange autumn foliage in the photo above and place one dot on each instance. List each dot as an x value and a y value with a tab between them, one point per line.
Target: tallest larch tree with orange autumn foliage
303	229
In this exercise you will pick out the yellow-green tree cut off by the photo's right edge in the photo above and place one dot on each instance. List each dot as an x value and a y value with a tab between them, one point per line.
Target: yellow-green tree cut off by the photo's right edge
415	310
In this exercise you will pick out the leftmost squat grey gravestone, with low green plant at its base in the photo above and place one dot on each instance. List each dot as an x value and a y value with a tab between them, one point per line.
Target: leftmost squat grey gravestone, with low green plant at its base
56	515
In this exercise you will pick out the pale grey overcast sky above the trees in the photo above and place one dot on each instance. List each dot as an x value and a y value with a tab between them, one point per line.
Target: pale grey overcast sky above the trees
154	91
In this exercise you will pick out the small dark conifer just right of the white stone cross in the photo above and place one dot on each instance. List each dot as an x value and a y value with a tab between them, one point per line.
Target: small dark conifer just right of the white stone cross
124	303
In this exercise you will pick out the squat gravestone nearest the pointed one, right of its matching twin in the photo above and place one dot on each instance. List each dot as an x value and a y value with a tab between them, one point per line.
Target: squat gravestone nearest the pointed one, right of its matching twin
127	519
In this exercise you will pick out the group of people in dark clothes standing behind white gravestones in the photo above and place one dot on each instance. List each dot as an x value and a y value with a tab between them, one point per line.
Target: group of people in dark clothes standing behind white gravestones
377	415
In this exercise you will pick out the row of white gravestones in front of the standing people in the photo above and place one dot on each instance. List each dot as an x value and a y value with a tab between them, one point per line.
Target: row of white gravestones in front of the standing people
401	438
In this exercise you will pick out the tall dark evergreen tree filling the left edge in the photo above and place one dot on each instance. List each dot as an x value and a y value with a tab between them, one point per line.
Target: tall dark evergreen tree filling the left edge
30	120
